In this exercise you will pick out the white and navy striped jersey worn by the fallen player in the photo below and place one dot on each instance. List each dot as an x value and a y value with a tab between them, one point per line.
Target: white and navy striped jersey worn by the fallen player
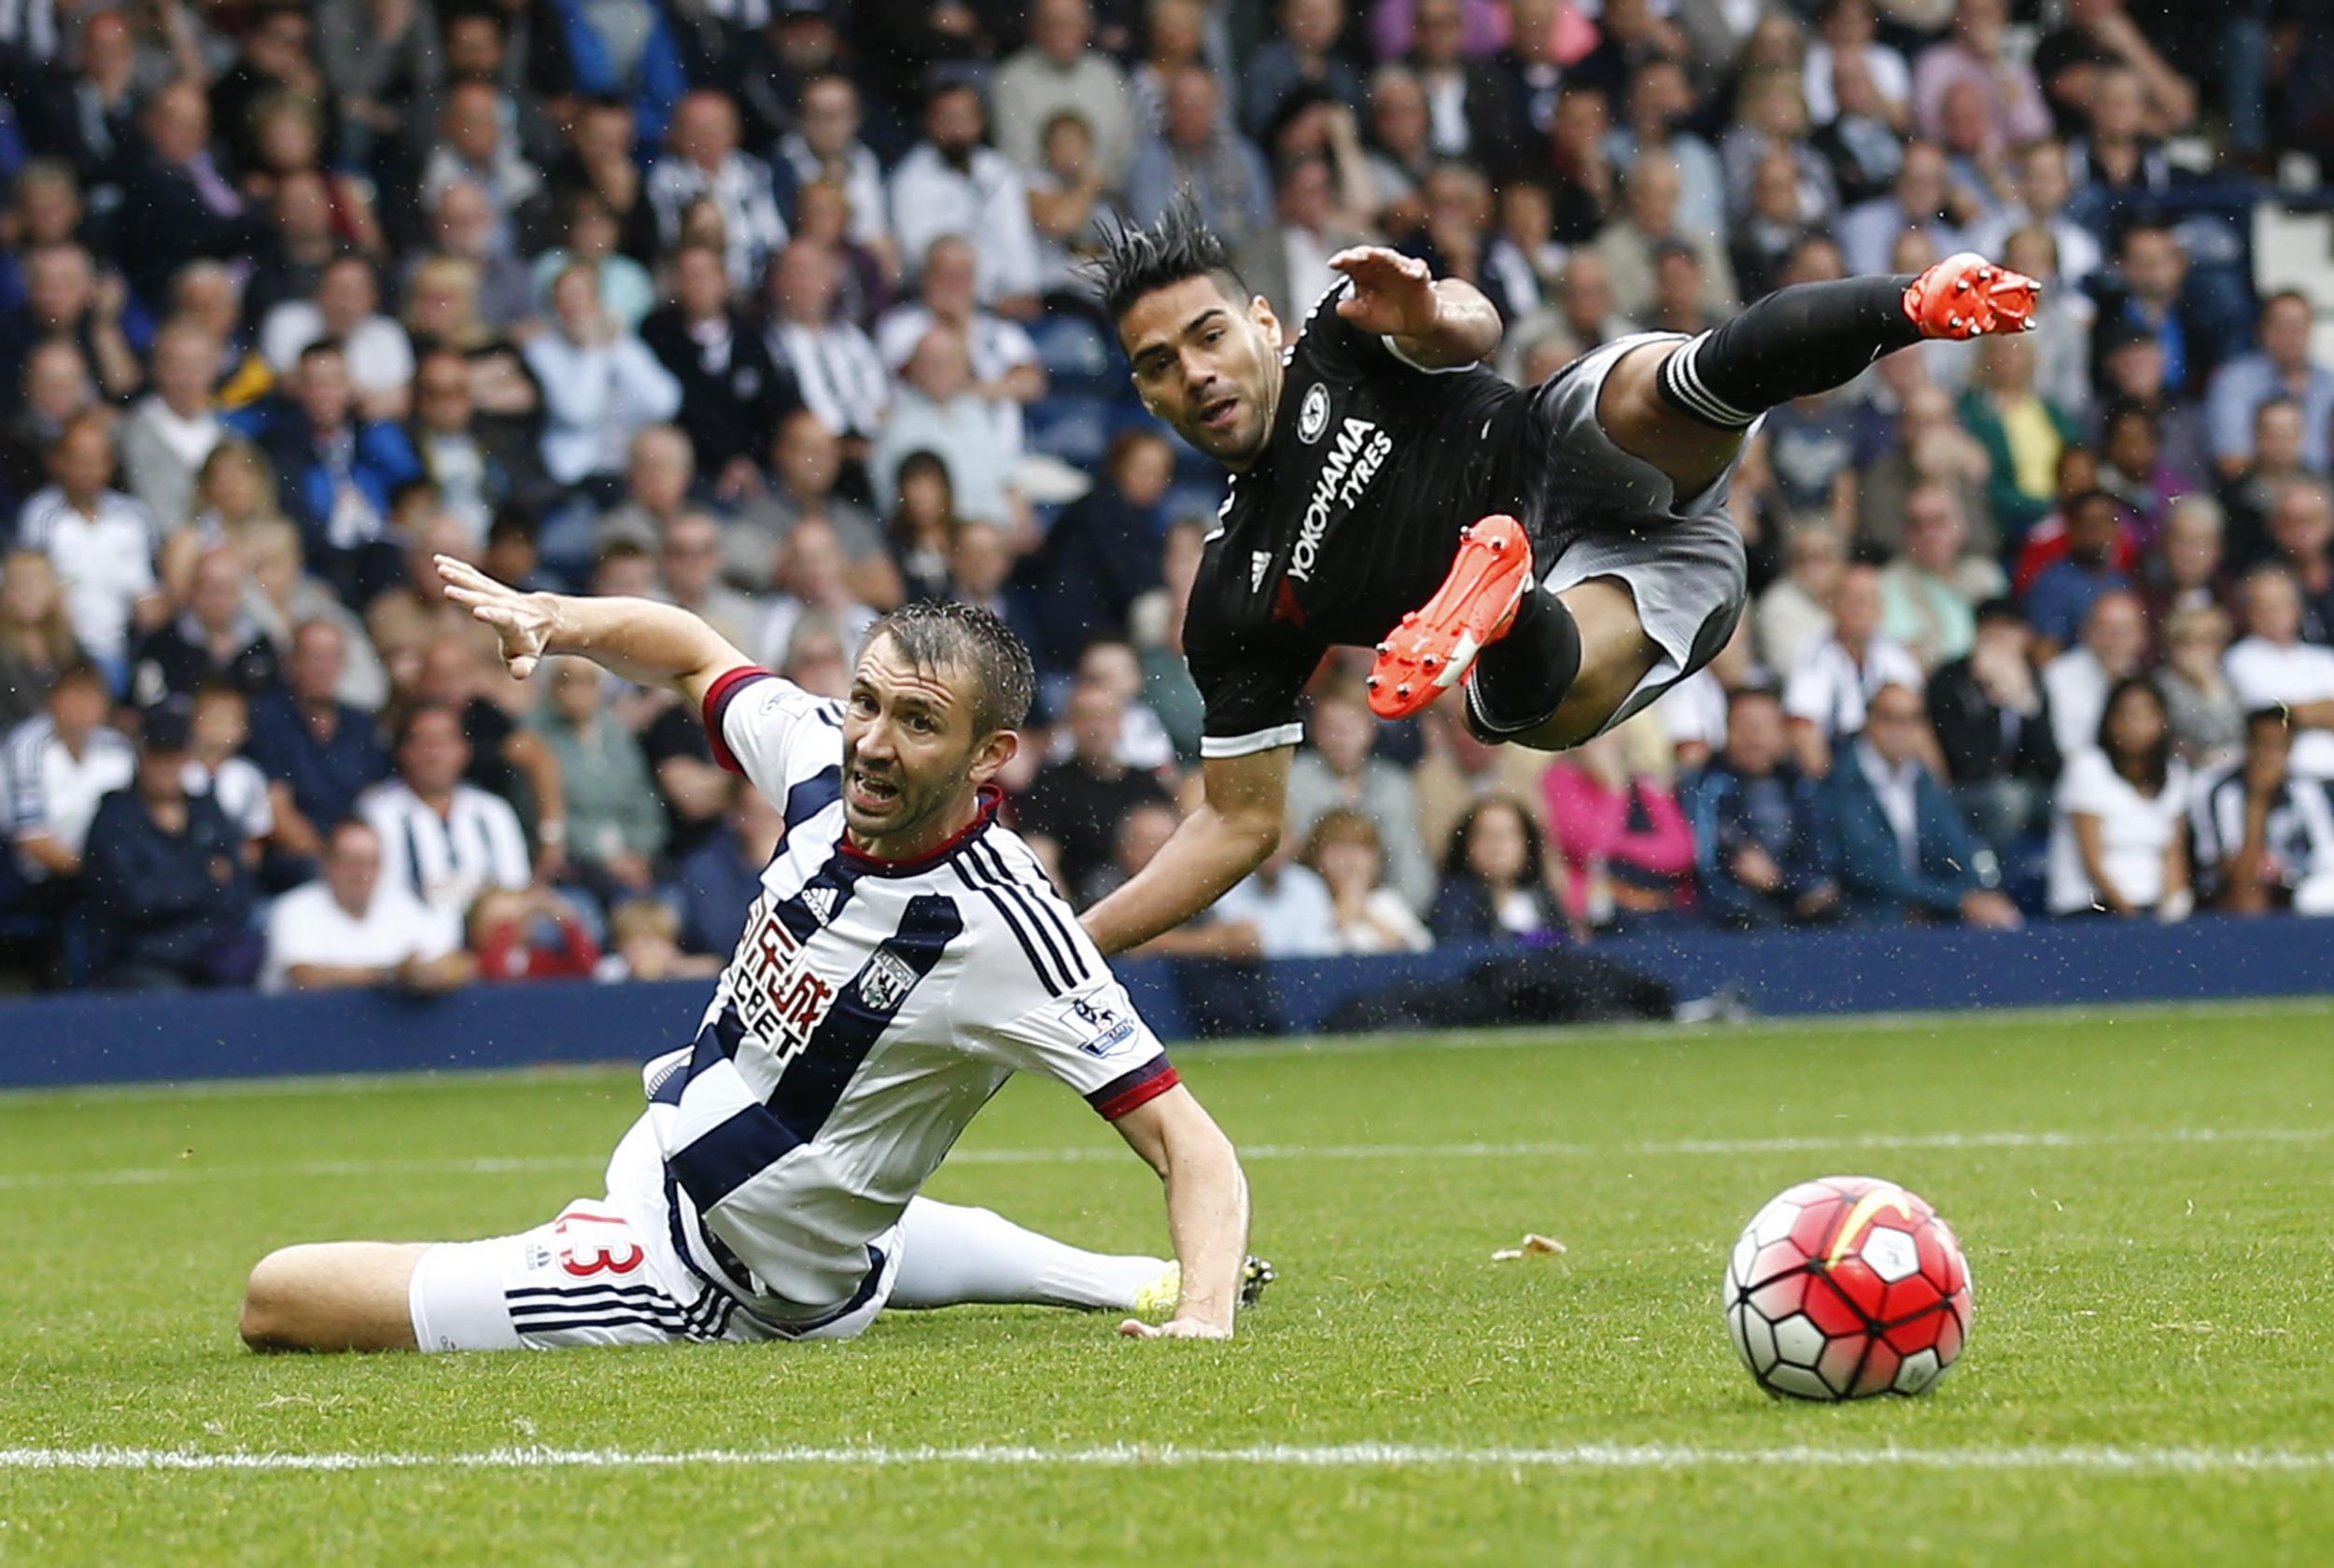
869	1011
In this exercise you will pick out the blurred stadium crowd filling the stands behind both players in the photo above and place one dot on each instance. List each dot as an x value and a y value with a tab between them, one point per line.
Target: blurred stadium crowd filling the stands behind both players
771	309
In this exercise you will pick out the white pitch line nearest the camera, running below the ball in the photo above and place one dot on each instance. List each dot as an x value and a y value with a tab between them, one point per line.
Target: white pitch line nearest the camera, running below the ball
1287	1457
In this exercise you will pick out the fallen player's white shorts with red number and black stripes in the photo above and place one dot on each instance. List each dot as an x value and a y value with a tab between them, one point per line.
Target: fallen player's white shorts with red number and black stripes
589	1277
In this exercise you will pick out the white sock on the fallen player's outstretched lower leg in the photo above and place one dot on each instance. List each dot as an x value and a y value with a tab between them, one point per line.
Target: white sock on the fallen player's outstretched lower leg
958	1256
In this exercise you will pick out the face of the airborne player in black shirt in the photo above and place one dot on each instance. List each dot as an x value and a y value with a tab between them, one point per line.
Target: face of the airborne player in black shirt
1208	365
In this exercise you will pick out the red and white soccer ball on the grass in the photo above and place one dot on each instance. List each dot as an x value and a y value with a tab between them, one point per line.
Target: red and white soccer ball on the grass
1847	1287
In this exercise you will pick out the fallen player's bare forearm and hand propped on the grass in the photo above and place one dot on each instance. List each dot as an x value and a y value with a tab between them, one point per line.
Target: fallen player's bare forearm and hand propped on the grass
1208	1212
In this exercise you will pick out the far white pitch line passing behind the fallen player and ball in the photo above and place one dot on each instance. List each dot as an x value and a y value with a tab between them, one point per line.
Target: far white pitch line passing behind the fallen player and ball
1103	1154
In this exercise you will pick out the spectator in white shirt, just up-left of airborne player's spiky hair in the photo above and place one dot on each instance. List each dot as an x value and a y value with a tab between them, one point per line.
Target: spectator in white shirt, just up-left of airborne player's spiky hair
951	185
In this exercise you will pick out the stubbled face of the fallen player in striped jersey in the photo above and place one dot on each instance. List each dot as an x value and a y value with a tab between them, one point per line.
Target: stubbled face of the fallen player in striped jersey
911	752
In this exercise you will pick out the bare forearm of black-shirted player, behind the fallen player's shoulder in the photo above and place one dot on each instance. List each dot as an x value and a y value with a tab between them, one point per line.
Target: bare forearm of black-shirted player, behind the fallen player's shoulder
1234	832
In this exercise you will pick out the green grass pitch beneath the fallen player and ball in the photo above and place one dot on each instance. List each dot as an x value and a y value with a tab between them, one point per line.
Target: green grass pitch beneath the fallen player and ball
2137	1289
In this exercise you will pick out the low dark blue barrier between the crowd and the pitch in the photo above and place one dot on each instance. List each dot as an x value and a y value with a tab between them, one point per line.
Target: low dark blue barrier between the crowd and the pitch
235	1035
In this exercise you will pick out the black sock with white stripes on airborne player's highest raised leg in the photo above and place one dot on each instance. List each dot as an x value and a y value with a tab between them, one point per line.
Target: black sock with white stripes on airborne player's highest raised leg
1798	342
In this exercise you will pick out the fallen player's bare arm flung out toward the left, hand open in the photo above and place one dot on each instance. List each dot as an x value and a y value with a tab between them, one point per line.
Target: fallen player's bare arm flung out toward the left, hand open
648	643
